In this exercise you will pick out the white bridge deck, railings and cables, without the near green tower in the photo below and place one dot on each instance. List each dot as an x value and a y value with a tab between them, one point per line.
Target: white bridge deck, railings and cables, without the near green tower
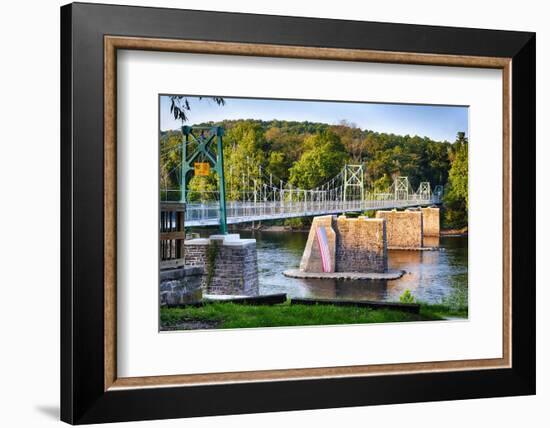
261	199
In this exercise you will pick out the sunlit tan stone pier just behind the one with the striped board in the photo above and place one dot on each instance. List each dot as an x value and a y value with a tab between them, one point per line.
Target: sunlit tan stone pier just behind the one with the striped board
403	228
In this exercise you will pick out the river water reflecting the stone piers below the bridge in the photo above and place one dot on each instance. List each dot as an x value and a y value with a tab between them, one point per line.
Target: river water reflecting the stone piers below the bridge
432	276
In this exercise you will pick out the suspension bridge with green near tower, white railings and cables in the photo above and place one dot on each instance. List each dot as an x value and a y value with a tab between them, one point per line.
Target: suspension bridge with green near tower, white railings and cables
252	194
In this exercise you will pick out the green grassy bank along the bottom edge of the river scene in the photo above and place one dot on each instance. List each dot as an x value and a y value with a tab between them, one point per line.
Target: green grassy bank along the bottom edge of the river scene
230	315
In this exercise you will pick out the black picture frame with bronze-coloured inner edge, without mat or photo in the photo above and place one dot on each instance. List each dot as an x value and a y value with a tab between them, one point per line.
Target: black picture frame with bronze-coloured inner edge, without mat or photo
91	391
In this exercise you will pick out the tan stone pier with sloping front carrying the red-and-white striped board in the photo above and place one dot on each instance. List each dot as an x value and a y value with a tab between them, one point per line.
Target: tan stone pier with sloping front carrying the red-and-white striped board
356	245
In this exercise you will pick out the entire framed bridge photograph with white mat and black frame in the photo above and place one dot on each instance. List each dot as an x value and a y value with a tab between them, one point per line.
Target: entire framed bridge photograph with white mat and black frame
267	213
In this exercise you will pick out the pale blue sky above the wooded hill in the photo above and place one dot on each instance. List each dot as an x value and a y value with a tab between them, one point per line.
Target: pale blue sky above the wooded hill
437	122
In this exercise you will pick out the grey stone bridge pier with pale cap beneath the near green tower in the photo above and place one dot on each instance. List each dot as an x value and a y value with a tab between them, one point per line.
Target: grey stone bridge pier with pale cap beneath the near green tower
235	268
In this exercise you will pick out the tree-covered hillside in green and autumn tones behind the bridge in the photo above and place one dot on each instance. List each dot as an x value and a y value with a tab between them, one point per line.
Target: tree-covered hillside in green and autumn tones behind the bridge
307	154
